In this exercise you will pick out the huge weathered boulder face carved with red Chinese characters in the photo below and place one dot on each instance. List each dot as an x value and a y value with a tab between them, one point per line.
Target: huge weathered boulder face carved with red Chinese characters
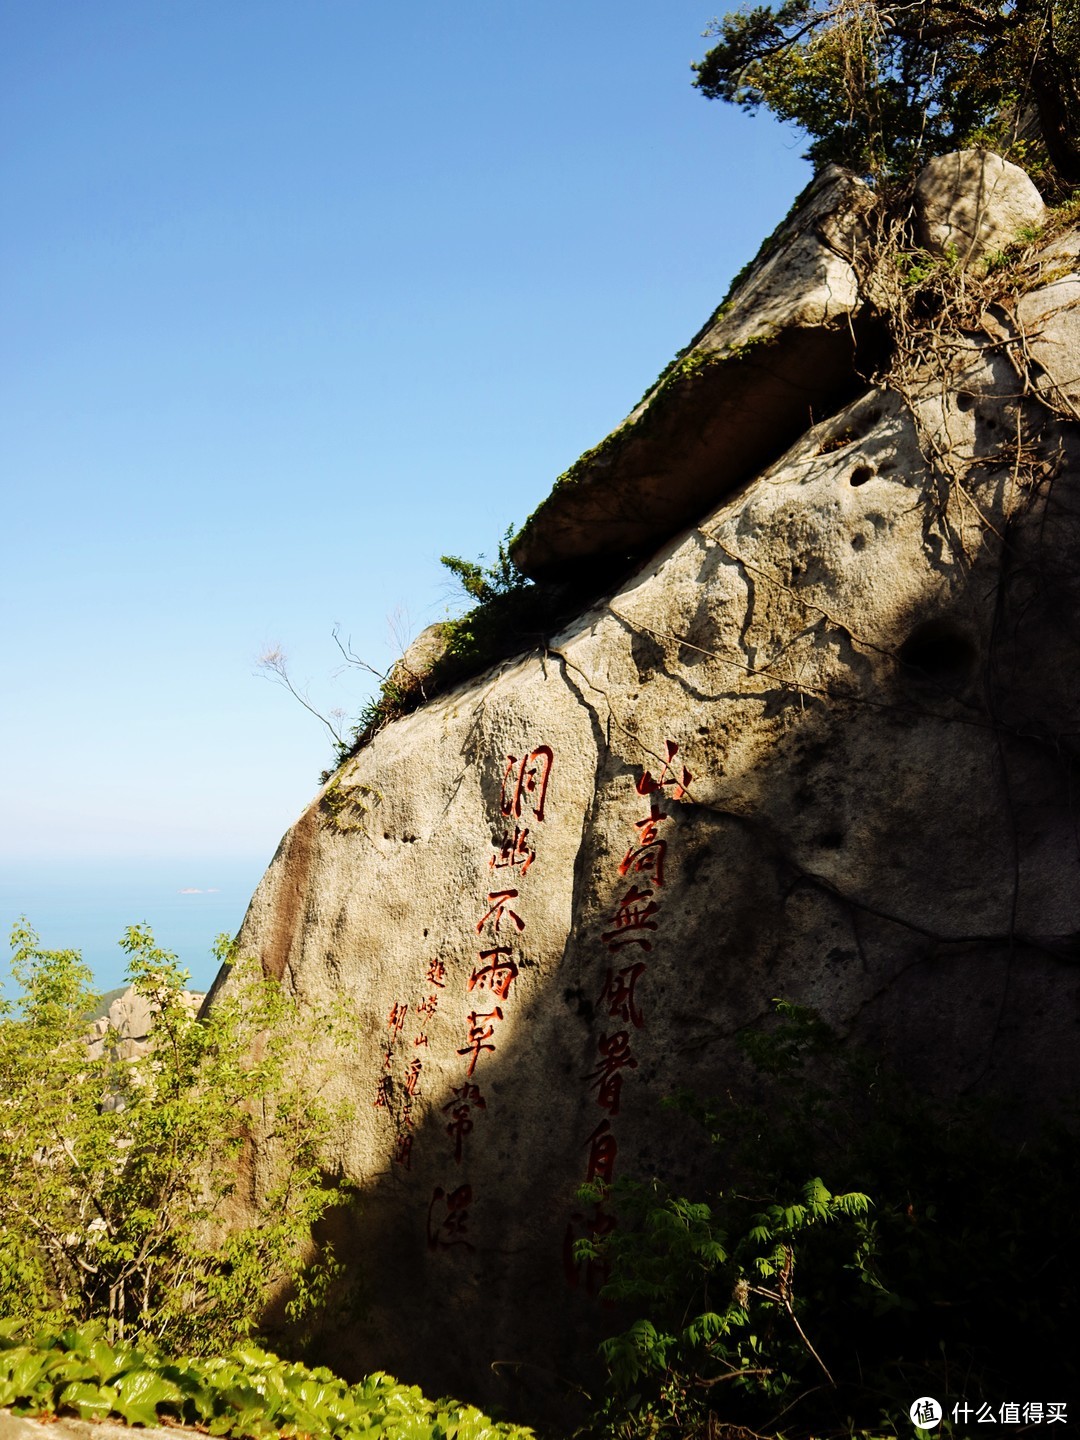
822	745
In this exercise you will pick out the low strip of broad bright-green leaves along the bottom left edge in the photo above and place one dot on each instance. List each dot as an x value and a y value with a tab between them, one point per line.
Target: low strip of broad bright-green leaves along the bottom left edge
247	1393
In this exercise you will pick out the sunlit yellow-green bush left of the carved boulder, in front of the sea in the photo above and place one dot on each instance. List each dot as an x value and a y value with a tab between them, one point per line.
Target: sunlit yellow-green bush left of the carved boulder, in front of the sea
116	1173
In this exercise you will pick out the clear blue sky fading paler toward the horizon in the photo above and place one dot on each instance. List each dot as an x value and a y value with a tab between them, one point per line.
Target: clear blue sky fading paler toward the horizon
299	297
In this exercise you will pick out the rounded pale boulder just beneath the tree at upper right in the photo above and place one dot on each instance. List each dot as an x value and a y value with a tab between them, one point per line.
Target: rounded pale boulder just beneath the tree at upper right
973	202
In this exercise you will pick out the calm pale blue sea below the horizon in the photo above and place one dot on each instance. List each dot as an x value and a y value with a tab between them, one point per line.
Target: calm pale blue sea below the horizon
87	905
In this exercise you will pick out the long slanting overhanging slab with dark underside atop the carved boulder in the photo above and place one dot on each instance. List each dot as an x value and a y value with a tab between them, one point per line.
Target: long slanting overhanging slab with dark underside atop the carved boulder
737	398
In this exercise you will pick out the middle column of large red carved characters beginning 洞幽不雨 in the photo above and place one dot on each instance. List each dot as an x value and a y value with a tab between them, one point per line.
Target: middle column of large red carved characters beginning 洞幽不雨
523	797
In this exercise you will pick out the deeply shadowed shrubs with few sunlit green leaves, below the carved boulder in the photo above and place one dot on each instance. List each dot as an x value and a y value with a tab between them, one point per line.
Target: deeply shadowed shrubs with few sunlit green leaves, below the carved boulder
765	1301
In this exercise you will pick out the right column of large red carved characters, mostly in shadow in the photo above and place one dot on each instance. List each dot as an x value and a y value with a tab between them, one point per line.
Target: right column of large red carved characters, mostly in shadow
633	925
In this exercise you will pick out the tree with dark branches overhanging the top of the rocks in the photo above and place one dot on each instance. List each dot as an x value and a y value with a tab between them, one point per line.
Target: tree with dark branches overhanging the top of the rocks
882	86
